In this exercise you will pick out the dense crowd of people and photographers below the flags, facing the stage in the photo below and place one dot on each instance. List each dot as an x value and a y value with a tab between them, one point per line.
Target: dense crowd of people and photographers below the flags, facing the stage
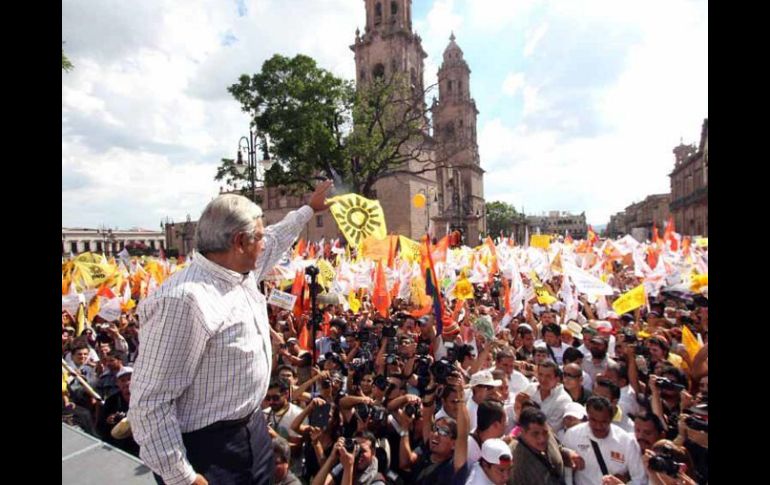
404	399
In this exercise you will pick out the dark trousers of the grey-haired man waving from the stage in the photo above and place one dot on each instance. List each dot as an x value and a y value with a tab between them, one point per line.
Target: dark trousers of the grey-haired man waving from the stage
231	453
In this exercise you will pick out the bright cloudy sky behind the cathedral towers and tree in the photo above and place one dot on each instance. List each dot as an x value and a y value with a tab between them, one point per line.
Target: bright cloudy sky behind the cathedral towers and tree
581	101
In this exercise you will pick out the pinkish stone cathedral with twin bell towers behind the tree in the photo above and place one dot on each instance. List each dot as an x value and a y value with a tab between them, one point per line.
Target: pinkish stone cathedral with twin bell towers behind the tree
455	190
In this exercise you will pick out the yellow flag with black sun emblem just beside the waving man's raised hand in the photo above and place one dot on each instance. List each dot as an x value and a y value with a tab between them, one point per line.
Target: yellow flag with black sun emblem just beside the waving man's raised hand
358	218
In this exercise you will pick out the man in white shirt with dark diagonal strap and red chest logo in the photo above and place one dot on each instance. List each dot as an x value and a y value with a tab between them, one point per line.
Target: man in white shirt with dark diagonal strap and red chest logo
619	451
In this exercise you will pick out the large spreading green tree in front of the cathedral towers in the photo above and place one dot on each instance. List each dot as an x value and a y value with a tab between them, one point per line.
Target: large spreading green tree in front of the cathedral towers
319	126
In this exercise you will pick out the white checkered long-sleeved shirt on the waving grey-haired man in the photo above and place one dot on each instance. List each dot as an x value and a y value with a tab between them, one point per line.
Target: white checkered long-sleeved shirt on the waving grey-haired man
205	354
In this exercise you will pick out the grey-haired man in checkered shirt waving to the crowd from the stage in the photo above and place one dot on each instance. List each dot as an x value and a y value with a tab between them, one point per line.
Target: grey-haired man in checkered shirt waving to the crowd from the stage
206	350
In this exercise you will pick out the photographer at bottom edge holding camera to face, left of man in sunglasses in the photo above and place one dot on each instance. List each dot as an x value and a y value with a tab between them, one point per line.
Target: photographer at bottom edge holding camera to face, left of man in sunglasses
357	463
